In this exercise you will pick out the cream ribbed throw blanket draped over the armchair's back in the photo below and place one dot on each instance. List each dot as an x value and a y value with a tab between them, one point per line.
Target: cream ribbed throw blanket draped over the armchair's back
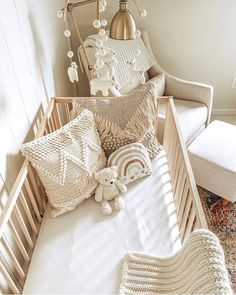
125	51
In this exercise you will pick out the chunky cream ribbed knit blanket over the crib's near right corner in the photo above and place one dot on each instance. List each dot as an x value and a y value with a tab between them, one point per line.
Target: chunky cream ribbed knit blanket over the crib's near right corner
198	268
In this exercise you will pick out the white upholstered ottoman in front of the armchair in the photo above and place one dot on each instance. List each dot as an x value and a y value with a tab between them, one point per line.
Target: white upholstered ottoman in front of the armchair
213	159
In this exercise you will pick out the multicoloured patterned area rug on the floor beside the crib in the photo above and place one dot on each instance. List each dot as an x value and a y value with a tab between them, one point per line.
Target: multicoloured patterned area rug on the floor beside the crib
221	218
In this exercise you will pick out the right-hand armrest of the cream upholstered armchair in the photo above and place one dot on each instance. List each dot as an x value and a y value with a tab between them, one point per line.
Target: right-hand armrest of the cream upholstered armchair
187	90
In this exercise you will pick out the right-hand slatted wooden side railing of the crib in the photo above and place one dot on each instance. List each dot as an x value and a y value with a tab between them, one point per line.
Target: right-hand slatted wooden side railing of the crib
189	209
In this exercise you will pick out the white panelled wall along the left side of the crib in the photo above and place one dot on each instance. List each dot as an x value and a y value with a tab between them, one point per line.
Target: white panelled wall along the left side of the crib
32	69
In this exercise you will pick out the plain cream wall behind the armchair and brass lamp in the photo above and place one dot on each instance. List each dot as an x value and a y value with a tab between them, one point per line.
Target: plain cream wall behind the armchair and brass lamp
195	40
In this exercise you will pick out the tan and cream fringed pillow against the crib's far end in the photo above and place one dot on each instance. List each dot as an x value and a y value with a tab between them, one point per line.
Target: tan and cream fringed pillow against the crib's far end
125	119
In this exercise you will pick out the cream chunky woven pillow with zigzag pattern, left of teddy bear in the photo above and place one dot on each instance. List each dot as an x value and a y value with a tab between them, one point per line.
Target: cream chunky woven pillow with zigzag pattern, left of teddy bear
65	161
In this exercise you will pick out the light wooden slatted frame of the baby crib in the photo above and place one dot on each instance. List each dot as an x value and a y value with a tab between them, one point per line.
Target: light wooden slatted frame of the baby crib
22	215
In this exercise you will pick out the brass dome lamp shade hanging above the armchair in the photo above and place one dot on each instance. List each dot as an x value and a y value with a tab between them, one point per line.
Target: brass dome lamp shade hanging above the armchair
123	26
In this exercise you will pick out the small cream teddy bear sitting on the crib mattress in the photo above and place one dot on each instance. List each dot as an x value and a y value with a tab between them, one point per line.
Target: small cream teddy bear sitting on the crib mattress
108	189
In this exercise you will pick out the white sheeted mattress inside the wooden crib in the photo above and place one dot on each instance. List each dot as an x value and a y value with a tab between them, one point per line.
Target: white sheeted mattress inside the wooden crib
82	251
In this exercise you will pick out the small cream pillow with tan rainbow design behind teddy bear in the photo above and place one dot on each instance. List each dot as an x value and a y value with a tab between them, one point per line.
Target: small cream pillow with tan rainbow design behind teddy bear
132	162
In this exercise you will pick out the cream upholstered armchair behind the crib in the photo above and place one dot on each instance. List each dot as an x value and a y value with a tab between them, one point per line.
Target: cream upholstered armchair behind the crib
193	100
